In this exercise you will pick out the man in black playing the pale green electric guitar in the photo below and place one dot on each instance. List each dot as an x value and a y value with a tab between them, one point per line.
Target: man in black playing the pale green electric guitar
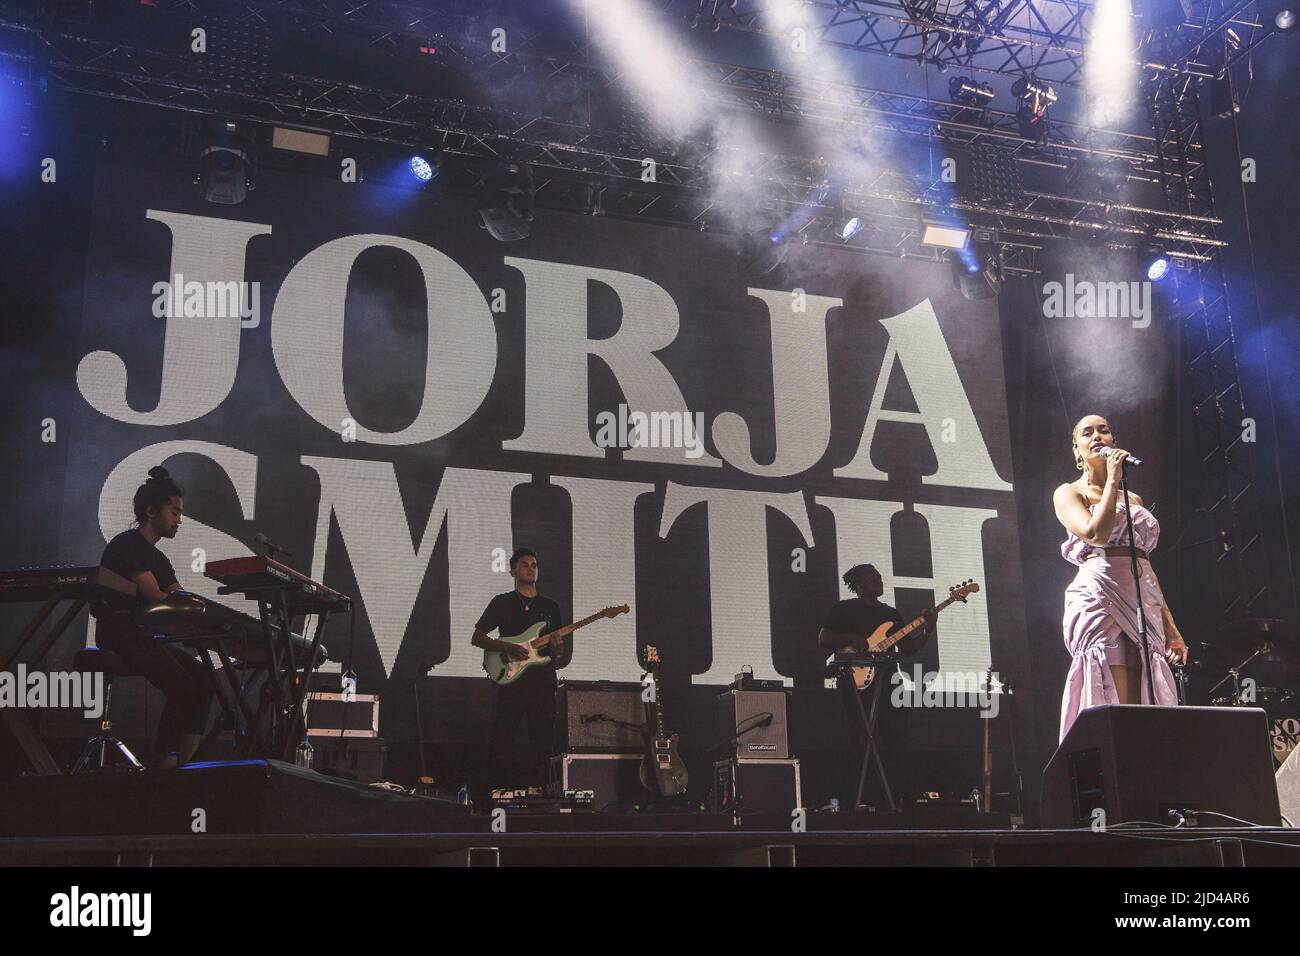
534	694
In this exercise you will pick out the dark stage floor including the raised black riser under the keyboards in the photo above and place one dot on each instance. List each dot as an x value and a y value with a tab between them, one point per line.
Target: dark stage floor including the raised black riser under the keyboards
267	814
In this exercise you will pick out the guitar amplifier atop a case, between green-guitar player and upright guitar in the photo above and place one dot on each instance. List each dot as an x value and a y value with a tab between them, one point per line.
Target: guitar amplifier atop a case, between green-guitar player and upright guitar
600	717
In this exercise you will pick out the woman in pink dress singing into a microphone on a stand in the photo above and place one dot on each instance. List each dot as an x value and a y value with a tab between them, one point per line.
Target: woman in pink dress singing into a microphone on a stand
1100	621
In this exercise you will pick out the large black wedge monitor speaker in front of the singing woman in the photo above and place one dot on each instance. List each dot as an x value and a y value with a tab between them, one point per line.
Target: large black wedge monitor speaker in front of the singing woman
1141	764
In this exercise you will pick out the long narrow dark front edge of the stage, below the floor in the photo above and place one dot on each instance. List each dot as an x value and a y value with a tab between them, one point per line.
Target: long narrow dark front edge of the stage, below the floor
1137	847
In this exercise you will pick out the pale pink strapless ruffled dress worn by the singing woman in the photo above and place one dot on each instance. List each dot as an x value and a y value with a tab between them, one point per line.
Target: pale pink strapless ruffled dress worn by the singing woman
1100	607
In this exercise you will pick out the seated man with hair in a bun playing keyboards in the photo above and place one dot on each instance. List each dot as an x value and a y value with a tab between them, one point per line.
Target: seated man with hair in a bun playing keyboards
176	672
